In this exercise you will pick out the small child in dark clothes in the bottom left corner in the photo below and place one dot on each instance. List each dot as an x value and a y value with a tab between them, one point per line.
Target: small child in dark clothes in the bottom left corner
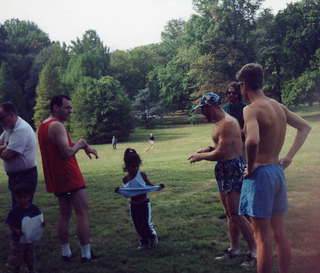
22	247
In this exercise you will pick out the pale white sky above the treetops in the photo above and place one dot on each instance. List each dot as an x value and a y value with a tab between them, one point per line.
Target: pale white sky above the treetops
121	24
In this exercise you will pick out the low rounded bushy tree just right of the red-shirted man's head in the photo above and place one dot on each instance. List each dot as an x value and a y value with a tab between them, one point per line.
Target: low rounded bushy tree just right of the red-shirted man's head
102	110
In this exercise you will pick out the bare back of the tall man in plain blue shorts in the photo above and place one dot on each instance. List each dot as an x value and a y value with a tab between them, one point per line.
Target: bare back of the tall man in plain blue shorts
269	117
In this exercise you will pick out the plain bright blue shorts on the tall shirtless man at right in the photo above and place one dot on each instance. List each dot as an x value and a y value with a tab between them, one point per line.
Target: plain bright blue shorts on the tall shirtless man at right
264	192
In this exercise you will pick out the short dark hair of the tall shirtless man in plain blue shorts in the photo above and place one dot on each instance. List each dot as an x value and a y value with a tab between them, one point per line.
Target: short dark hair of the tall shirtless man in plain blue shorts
252	75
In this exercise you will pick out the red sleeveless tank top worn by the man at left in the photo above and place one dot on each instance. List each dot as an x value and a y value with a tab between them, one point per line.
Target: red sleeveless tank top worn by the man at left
61	175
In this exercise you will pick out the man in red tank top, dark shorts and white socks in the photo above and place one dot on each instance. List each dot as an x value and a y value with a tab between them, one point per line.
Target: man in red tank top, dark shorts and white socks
63	176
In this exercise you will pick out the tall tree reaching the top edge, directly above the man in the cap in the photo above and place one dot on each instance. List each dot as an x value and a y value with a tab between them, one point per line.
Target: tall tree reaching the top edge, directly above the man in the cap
228	43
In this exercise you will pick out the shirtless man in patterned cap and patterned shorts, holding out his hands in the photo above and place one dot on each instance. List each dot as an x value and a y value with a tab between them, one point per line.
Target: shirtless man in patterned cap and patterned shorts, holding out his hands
228	172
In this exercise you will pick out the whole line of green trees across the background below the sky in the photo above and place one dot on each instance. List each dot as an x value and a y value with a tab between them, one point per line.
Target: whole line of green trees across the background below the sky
195	56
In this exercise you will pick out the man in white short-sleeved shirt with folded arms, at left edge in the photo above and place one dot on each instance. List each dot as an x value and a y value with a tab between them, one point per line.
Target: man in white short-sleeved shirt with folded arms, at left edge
17	148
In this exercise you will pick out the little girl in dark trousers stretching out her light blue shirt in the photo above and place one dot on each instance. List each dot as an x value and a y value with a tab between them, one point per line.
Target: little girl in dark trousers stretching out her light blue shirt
136	186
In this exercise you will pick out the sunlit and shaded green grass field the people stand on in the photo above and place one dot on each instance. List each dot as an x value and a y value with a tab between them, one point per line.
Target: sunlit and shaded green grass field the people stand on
184	213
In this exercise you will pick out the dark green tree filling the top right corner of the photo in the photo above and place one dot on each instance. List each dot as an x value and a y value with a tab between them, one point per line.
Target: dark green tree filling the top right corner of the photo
286	43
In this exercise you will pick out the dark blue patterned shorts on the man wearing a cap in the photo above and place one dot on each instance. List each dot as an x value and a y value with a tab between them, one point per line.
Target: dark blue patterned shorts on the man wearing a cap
229	175
